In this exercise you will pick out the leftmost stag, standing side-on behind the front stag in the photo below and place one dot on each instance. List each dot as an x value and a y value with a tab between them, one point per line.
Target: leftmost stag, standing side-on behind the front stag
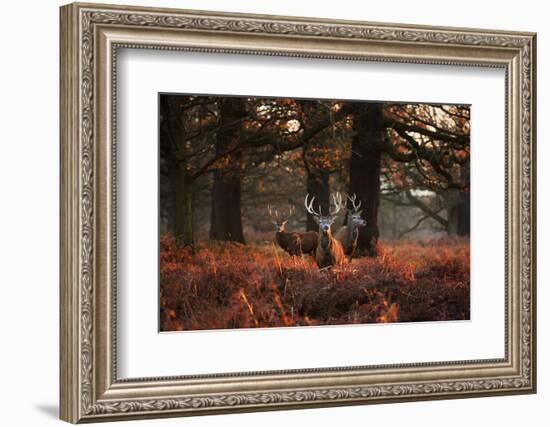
293	243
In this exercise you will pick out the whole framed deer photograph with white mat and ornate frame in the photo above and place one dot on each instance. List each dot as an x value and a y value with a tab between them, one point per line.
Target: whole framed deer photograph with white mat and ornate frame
266	212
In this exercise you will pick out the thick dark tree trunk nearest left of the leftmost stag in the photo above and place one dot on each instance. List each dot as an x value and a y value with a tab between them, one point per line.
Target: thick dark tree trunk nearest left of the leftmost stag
226	223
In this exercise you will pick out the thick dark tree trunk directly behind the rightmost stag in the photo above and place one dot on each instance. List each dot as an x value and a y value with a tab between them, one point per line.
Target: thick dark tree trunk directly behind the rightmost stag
364	170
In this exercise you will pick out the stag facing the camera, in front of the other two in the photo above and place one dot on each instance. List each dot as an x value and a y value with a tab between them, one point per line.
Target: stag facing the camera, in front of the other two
329	251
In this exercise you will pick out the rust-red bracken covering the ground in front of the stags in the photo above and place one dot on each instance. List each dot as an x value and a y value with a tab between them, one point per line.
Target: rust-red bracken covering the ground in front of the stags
229	285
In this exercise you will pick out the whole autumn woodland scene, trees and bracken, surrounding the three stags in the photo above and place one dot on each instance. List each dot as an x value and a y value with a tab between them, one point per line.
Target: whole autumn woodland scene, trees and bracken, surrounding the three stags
224	159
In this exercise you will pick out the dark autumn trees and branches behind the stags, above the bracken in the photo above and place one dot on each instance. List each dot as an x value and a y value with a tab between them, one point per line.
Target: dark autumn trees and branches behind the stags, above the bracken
223	159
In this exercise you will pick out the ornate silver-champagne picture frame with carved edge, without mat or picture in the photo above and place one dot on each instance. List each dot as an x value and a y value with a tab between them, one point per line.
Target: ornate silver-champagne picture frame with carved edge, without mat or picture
90	35
